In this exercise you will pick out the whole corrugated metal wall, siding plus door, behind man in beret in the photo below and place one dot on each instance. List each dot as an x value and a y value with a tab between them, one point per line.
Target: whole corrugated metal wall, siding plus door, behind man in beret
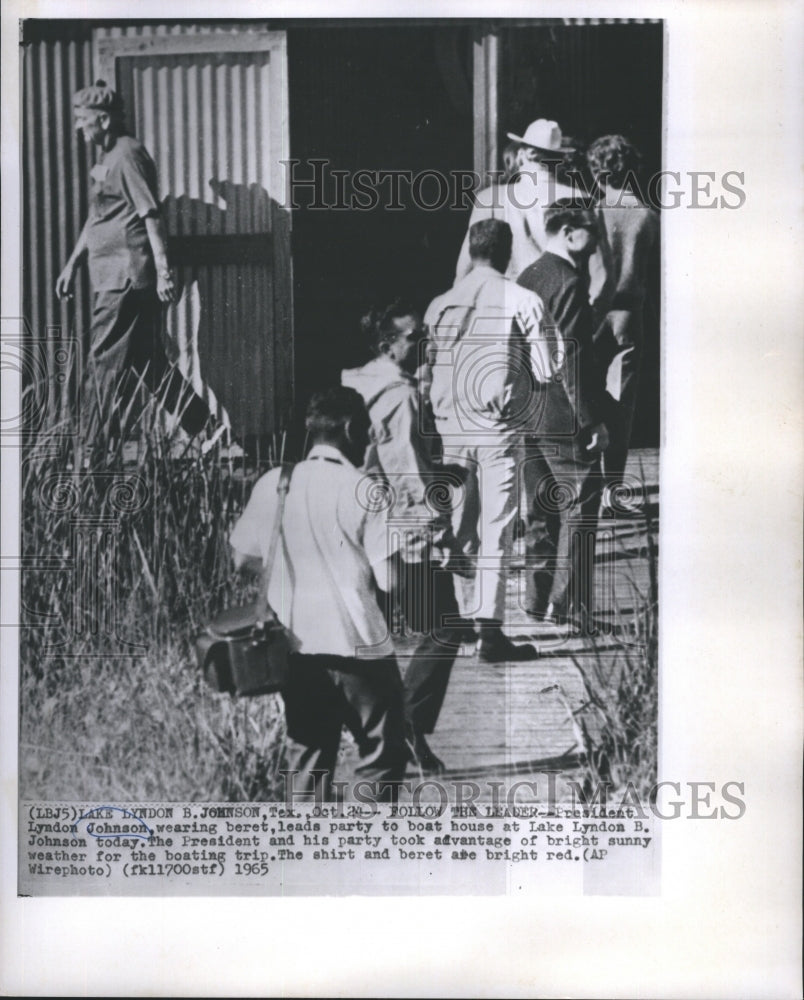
214	125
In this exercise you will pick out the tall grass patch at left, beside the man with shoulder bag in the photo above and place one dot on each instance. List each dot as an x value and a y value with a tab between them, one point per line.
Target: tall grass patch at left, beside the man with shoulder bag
133	552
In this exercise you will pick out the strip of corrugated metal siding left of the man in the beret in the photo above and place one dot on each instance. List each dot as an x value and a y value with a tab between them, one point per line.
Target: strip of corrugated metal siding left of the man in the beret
54	199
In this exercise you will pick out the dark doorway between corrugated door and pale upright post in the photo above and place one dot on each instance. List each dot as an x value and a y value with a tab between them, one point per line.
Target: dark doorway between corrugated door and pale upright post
378	98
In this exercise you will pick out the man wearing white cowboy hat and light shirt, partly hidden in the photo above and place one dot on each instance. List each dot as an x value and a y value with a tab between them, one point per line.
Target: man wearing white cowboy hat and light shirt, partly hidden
522	202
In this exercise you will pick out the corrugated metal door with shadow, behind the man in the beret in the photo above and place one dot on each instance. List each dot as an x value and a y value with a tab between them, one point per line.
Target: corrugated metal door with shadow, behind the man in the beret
209	122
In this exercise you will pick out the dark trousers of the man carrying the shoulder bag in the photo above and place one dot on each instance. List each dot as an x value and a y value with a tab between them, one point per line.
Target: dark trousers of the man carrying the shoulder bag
324	693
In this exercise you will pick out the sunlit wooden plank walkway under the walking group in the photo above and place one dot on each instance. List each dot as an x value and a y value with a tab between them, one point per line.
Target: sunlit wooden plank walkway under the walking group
503	722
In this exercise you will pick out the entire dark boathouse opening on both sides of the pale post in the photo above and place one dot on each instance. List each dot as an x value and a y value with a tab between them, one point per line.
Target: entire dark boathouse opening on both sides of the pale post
399	97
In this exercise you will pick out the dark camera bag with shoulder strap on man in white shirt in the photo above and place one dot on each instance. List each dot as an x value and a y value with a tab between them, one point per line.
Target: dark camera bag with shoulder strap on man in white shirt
244	650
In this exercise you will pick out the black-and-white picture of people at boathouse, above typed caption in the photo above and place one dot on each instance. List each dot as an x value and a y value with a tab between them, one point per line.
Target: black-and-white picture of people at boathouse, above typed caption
360	319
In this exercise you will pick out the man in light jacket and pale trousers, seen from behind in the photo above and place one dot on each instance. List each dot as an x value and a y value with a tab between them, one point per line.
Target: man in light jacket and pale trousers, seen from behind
488	346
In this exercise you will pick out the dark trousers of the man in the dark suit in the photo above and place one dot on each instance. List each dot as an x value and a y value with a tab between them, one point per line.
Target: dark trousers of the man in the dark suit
564	486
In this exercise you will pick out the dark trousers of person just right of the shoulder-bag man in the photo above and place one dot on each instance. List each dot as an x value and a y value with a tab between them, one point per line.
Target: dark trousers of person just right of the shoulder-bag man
427	599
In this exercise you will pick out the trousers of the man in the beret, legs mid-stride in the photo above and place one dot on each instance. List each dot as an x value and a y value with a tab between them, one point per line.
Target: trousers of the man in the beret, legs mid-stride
127	352
